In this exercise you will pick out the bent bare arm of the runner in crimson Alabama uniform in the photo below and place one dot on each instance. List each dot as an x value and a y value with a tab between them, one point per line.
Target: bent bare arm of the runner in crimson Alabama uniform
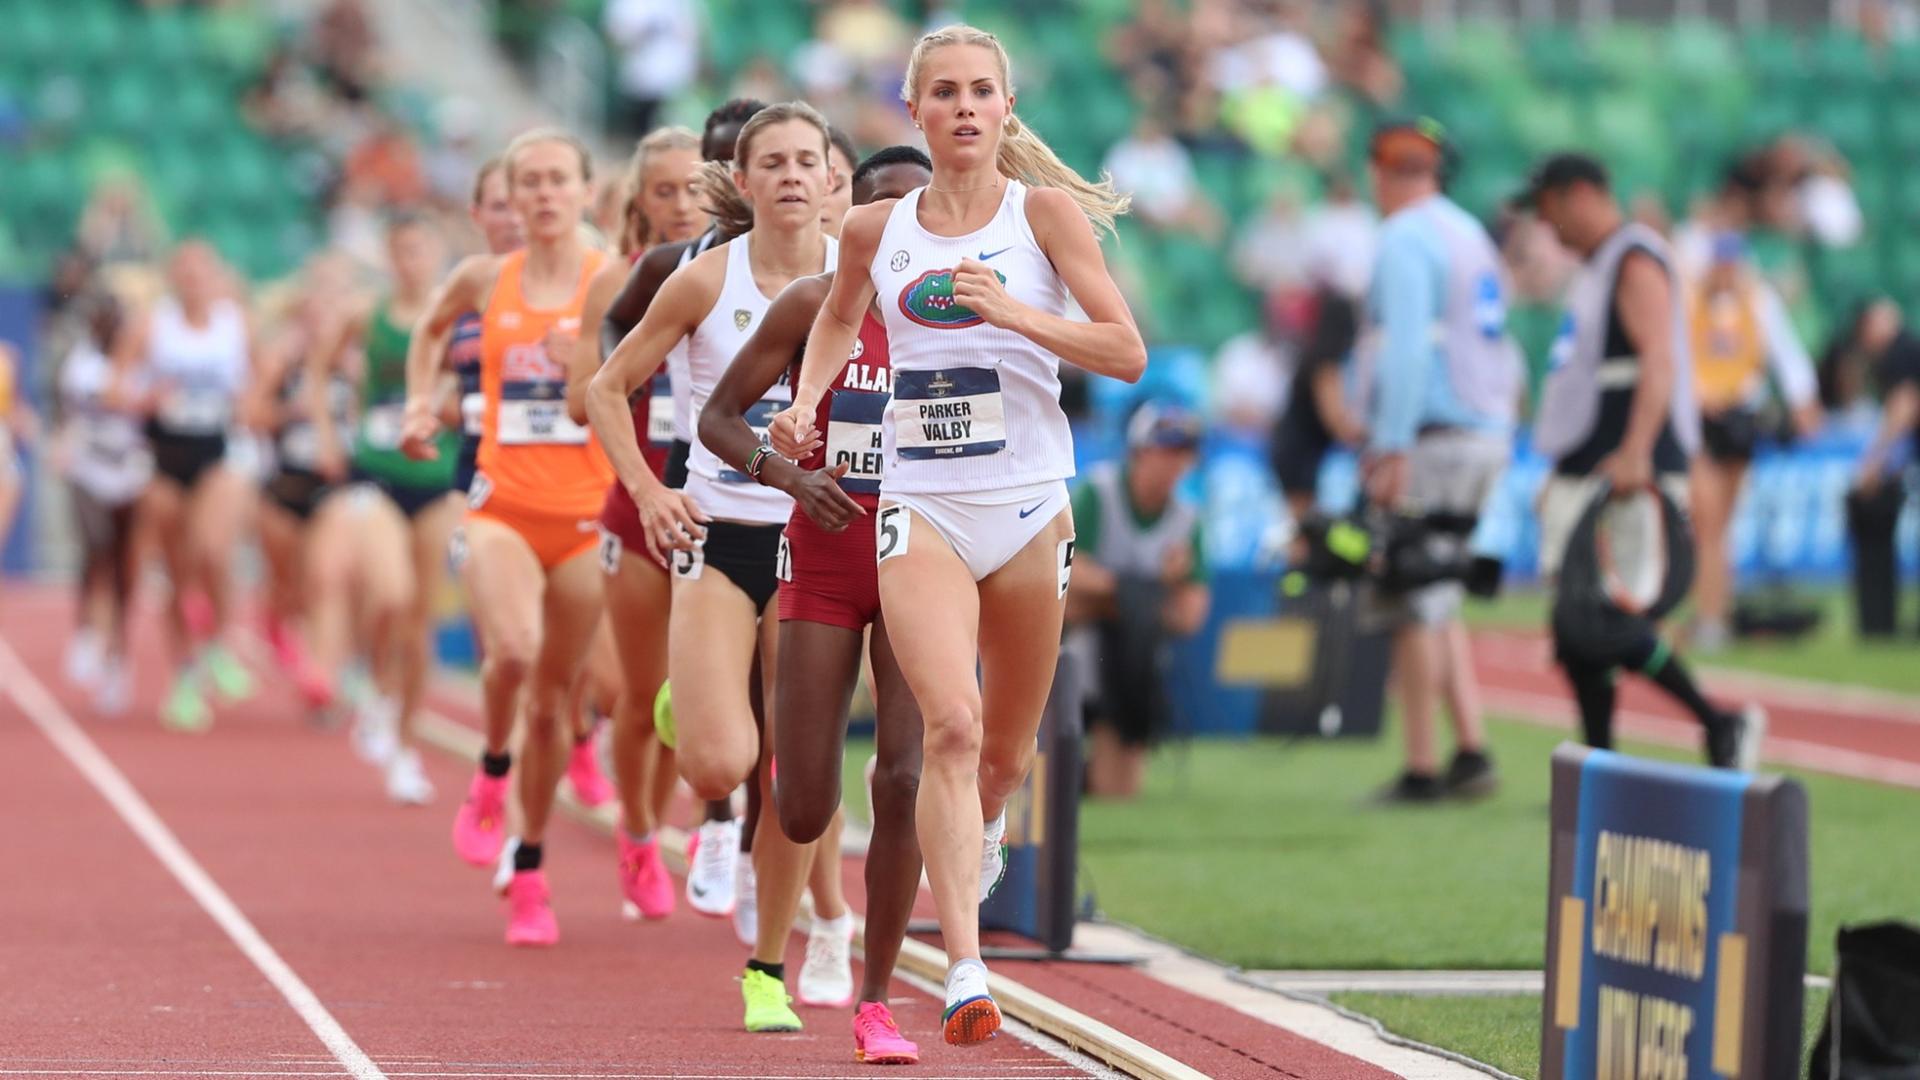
757	366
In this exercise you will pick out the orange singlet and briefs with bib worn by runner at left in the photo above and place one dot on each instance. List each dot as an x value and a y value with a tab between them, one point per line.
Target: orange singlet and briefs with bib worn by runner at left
540	474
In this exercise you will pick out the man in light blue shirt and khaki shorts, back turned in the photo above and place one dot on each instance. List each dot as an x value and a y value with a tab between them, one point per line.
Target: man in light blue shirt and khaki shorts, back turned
1439	381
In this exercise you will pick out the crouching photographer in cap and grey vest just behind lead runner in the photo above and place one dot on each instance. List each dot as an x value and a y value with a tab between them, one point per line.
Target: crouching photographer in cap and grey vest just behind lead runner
1140	581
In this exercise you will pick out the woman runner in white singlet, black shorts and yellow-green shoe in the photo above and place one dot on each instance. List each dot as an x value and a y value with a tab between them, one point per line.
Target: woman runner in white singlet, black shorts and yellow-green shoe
725	566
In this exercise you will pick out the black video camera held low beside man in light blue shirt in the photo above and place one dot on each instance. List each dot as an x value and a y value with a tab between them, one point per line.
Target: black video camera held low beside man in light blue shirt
1397	552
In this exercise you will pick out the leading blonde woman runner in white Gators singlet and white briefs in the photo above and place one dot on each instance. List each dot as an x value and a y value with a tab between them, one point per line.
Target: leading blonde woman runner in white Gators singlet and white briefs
974	533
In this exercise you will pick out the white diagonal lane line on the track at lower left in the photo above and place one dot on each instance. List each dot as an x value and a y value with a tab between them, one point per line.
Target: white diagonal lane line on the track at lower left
85	756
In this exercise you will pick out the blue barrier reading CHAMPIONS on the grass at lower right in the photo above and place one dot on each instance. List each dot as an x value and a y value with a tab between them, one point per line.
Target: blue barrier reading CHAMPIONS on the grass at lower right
1677	921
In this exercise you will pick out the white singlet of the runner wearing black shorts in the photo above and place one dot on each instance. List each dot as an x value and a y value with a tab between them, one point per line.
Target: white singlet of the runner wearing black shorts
717	487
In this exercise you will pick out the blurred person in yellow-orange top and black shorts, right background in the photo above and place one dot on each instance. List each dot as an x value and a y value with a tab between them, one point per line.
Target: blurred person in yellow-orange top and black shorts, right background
1740	335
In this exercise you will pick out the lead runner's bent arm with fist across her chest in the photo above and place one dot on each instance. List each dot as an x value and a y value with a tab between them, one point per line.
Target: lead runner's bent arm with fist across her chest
1109	343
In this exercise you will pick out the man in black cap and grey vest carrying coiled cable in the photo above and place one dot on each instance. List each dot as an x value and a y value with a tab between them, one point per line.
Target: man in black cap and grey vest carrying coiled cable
1618	412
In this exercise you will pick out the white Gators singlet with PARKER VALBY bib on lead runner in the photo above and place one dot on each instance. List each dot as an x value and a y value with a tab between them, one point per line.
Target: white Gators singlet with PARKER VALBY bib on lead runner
976	408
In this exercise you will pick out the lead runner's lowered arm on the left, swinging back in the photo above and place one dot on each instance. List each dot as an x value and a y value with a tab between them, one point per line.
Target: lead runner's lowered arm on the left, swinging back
838	326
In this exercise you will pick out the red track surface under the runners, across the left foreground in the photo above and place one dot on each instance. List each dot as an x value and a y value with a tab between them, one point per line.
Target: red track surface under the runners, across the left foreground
112	970
